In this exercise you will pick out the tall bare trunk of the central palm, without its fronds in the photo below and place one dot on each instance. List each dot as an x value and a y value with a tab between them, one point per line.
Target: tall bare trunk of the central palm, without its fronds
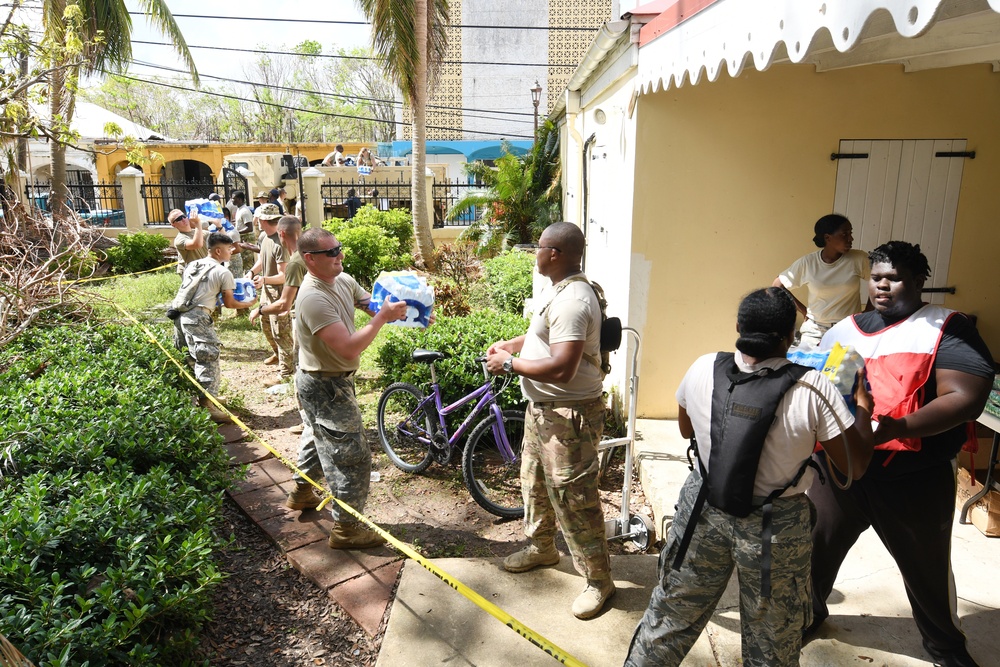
421	223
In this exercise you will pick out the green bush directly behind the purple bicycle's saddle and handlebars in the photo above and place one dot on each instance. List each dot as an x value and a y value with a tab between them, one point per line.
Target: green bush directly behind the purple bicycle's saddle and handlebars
464	339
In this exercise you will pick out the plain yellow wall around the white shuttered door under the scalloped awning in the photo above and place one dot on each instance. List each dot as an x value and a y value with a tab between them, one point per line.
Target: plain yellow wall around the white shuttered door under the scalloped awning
731	176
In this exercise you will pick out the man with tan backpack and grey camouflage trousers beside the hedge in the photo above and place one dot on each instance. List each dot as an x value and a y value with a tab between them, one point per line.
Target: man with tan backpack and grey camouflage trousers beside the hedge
204	279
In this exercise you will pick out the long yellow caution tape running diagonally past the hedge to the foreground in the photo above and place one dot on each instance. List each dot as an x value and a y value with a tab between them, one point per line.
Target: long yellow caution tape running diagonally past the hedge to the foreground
496	612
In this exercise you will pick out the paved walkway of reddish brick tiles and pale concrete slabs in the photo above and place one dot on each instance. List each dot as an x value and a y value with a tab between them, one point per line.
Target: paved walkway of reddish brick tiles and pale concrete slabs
432	624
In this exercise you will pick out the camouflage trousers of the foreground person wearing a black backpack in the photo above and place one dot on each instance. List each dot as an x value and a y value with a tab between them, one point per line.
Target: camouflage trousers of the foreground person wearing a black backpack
682	603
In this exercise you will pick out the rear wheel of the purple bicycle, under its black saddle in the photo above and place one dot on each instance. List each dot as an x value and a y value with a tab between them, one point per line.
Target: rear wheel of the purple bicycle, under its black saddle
404	428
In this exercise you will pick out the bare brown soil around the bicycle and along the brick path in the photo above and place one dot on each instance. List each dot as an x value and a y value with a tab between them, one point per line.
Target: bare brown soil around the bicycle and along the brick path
268	614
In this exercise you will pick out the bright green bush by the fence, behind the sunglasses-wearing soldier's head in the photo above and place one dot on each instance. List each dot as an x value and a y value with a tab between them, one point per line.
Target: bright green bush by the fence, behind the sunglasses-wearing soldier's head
374	241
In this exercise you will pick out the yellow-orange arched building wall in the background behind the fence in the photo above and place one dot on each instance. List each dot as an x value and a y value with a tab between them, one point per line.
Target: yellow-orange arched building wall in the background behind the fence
211	154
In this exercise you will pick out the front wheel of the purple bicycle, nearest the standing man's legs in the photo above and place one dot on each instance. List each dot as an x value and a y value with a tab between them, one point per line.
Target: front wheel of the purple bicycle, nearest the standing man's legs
493	482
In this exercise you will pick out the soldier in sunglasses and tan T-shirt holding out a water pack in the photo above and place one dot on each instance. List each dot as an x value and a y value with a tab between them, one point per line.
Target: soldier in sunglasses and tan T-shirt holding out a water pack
329	348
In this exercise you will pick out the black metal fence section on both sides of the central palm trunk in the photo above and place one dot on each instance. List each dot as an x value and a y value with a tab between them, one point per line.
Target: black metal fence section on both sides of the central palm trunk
386	195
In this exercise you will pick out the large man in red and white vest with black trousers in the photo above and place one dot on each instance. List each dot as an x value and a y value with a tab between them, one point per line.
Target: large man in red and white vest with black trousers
931	375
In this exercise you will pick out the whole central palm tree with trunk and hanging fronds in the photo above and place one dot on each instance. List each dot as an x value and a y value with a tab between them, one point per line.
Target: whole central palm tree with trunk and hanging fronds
410	37
